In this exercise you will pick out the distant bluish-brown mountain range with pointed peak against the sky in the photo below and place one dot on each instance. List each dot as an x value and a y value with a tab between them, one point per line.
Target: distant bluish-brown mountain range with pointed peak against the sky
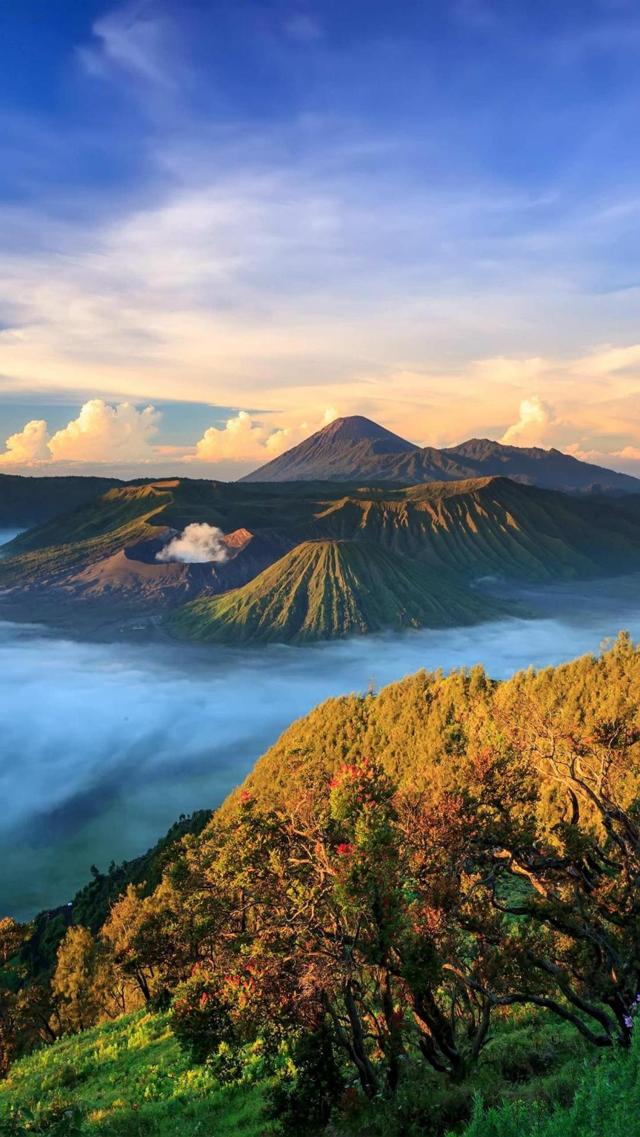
356	450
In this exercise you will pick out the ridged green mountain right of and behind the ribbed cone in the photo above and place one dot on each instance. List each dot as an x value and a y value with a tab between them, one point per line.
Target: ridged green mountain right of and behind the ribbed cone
495	526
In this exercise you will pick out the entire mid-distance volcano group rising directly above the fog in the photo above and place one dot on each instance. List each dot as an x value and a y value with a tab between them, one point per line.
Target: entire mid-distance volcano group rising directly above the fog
306	561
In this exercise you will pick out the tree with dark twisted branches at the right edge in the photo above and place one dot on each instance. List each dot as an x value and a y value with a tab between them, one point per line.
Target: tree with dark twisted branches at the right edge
567	867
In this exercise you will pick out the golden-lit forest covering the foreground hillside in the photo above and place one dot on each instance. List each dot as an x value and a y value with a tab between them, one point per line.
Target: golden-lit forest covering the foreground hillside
410	884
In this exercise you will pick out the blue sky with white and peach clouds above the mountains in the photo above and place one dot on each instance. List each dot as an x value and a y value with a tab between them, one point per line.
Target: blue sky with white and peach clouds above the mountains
225	223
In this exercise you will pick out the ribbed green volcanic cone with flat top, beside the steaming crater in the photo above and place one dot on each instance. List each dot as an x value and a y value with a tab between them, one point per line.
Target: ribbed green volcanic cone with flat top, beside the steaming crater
328	590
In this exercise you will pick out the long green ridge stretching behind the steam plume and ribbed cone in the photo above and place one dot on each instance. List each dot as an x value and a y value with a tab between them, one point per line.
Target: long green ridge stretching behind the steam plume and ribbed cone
476	527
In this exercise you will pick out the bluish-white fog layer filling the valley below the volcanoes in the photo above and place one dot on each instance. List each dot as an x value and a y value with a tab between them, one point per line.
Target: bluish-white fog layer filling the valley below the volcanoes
104	746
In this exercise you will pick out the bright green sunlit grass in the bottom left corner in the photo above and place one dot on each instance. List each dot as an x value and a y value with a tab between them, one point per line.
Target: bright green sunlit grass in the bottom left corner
126	1080
